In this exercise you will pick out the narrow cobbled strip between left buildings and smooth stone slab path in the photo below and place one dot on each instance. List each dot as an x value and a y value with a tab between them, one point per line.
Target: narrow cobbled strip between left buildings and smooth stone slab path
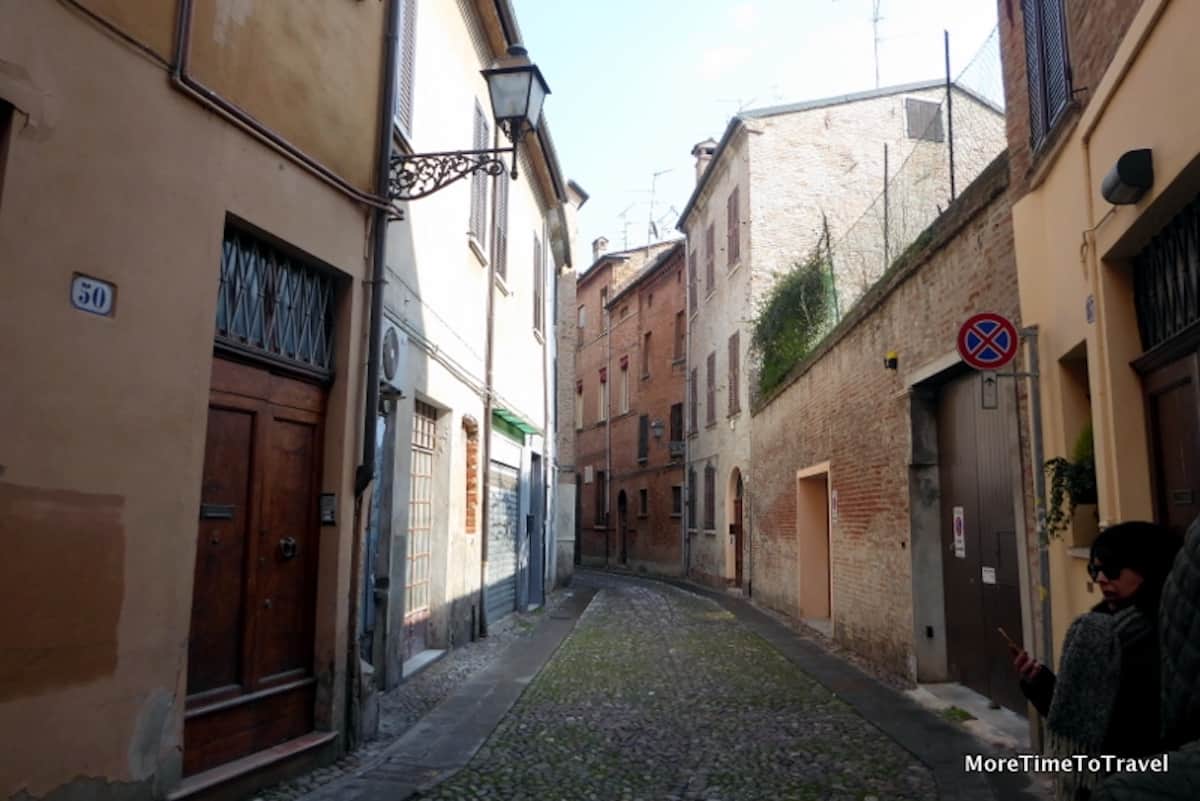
409	703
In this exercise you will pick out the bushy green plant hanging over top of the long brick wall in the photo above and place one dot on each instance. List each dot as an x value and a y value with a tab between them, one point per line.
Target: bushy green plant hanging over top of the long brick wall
795	317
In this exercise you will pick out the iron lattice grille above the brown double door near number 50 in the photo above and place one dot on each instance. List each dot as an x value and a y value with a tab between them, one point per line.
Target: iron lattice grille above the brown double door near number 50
273	305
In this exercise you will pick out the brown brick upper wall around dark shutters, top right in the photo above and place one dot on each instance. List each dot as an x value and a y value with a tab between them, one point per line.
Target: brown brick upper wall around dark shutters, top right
1095	29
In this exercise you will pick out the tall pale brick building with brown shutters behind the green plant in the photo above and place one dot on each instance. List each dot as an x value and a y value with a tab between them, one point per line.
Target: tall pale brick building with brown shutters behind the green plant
761	197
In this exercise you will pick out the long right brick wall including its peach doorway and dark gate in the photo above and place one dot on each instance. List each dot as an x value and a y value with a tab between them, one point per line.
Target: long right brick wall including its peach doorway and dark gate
861	473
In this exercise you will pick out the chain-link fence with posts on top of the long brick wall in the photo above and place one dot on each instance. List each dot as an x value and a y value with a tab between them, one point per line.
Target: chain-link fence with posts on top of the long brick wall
968	130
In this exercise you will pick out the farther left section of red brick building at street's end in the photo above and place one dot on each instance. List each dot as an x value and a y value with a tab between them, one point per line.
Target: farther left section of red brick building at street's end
598	398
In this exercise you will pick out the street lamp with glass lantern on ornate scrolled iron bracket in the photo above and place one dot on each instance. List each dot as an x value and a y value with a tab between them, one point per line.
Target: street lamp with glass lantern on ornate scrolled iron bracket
518	92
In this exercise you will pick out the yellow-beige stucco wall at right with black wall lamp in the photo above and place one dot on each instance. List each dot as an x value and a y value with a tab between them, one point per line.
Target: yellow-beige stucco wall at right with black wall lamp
1144	101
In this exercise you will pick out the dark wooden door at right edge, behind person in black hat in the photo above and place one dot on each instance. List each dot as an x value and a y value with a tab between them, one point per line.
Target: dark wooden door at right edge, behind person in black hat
1174	412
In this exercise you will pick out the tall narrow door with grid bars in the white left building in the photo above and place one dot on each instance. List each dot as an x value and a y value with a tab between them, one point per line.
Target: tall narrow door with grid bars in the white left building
421	529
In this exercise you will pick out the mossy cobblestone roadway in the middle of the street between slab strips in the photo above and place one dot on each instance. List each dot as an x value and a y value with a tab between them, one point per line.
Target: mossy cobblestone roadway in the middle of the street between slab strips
663	695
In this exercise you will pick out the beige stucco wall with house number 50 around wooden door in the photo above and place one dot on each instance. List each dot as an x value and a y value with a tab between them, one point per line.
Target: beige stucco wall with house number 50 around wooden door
131	184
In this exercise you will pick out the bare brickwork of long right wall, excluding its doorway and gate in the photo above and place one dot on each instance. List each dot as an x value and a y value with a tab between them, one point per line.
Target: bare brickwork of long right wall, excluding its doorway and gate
844	408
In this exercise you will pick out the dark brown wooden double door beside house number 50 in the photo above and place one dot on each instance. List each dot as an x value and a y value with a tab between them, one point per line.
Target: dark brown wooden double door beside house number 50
250	668
